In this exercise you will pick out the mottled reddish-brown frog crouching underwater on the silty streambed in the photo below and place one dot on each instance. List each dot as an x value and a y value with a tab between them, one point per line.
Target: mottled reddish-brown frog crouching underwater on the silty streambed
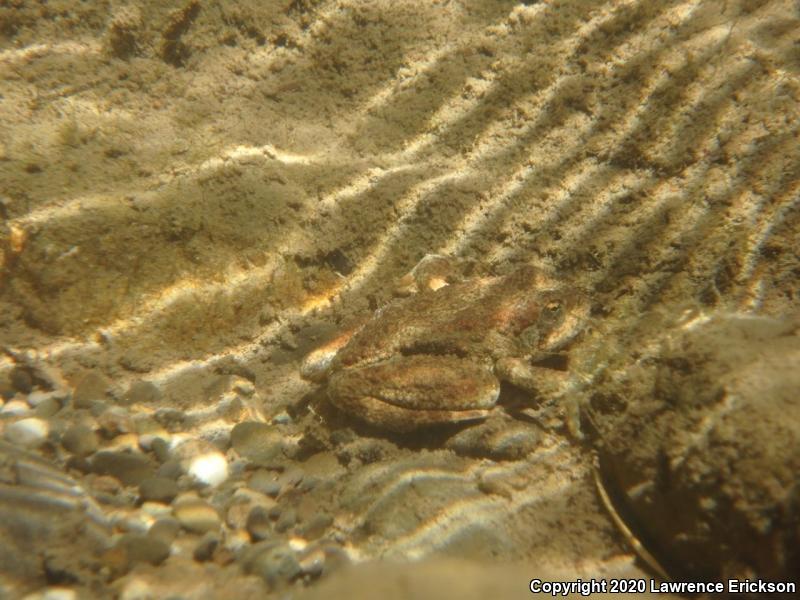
440	355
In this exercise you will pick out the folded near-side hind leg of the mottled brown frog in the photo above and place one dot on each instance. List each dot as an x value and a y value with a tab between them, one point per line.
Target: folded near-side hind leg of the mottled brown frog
410	392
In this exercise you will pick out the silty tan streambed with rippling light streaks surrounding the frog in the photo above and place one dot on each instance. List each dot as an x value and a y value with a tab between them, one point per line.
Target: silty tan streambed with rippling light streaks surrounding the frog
195	195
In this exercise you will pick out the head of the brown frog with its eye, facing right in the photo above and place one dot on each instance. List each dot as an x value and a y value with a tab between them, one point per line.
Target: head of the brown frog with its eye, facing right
556	319
